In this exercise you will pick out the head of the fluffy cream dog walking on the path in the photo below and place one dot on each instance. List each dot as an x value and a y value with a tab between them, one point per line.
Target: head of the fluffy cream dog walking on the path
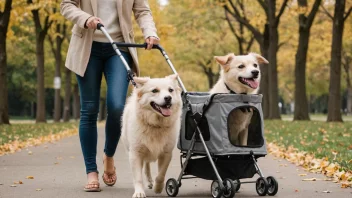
161	96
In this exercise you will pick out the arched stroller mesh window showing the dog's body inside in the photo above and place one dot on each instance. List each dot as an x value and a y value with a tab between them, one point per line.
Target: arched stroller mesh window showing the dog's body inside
244	127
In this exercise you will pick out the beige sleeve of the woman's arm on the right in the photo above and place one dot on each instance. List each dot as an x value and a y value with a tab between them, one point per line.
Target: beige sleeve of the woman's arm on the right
144	18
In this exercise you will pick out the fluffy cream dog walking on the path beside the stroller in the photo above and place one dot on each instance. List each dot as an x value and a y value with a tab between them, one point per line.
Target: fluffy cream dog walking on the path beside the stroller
151	123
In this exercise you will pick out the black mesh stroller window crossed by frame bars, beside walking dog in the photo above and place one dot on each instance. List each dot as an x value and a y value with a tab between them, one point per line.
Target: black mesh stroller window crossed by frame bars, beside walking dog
191	126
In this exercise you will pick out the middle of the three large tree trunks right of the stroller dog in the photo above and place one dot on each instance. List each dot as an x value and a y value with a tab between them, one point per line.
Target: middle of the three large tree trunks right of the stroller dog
305	23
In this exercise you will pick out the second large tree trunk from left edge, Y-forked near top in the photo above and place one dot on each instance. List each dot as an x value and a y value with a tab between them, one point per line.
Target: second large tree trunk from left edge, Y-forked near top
41	30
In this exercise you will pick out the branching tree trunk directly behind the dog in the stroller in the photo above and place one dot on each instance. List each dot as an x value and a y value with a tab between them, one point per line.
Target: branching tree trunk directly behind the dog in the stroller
269	45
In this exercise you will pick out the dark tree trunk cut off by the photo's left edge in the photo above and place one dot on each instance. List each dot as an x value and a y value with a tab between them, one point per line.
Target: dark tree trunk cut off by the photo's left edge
4	22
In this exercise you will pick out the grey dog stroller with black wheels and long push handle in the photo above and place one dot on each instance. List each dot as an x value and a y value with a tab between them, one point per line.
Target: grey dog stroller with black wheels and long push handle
206	151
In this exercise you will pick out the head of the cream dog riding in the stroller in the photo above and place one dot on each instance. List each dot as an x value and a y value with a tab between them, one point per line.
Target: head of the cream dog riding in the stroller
241	73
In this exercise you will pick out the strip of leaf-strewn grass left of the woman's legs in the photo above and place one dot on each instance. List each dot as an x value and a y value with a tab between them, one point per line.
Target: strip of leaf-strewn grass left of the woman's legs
23	132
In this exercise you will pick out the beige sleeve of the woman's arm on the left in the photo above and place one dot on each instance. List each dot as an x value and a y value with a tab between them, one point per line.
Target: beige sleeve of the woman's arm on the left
71	11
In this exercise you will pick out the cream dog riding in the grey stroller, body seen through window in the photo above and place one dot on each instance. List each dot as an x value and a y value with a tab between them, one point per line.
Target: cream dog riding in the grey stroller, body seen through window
241	75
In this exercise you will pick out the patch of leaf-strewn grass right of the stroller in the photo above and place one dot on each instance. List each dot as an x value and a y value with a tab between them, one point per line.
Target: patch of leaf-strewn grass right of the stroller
316	137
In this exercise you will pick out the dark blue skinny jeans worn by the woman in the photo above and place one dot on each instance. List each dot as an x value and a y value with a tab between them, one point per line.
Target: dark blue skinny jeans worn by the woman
103	60
